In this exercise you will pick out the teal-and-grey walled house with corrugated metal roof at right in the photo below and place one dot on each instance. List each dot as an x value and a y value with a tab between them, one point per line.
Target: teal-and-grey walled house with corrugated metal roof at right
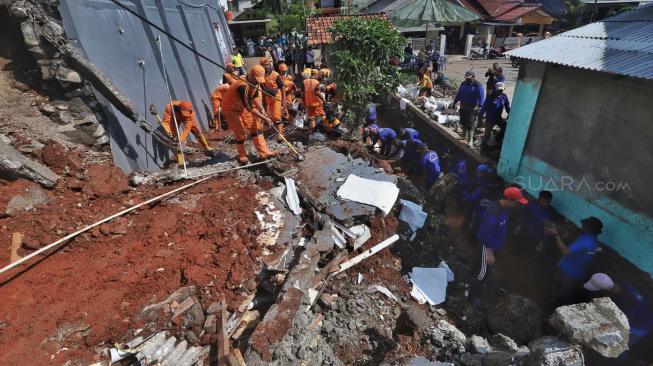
581	126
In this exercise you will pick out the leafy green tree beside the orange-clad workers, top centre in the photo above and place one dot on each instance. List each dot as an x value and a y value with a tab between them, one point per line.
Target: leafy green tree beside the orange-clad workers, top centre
361	58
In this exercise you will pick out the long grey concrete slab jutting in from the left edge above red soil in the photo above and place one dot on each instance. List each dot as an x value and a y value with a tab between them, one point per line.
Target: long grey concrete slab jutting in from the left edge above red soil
14	165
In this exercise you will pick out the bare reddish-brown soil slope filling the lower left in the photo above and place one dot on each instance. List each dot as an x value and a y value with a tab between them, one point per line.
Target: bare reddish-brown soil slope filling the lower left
92	291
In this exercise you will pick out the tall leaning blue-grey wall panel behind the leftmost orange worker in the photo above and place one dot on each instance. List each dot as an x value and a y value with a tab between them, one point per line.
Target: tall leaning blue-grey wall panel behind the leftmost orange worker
115	41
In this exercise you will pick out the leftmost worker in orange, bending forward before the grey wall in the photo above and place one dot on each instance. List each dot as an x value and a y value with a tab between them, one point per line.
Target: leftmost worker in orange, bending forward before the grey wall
185	115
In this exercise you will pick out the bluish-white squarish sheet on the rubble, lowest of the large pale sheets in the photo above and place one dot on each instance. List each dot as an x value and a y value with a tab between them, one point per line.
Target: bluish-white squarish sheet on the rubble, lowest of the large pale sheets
429	284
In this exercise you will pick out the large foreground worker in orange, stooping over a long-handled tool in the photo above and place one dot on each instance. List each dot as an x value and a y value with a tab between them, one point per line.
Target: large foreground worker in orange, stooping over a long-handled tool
242	108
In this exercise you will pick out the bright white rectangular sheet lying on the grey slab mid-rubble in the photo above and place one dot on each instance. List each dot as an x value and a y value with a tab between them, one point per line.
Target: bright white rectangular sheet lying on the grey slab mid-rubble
369	191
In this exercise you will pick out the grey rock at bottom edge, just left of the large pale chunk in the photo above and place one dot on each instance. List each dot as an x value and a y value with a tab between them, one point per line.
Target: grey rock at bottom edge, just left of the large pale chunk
551	351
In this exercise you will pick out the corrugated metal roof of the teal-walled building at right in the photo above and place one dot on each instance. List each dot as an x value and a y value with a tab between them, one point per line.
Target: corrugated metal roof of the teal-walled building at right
622	44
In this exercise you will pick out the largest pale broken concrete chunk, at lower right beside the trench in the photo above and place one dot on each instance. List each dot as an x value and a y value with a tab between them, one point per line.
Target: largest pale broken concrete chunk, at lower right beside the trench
599	325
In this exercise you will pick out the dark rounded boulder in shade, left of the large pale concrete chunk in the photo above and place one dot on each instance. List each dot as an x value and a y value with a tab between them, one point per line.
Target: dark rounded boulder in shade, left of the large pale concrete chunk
517	317
